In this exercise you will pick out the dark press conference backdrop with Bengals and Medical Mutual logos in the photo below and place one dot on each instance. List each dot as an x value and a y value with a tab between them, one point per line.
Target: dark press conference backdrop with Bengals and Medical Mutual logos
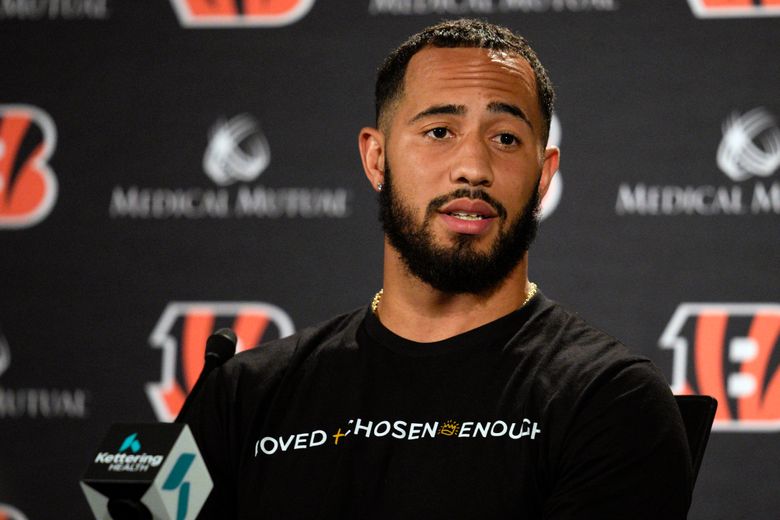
170	167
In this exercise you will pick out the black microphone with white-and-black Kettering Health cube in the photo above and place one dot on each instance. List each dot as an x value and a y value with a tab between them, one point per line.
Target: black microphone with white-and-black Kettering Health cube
154	471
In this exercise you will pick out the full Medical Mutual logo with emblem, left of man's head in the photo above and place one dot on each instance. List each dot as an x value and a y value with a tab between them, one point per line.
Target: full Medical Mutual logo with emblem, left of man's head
236	154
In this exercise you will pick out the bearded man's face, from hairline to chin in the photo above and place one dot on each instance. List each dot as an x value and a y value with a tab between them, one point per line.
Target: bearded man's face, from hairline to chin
468	167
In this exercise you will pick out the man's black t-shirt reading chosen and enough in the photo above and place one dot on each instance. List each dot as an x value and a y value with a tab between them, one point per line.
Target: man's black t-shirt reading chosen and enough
535	415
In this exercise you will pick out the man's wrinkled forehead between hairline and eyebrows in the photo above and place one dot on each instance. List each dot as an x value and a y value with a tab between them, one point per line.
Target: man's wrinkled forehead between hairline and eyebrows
464	75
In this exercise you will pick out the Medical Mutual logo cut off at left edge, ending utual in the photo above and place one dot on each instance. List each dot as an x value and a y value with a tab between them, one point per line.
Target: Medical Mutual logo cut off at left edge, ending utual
37	402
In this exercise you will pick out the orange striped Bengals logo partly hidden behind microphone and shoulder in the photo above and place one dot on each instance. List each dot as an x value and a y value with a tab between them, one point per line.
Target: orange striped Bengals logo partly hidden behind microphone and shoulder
182	331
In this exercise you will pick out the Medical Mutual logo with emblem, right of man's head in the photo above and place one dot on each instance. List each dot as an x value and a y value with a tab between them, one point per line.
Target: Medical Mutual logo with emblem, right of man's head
749	150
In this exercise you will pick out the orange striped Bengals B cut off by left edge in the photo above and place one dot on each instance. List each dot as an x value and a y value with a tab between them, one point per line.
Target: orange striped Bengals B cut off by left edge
28	187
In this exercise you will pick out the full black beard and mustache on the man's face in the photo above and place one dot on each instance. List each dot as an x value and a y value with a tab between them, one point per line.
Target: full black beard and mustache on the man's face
459	268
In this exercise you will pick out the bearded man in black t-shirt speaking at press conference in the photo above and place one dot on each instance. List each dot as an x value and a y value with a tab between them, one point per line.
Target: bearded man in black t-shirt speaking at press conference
460	391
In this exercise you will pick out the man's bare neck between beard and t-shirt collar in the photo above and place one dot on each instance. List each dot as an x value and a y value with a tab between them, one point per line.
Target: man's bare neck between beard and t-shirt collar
416	311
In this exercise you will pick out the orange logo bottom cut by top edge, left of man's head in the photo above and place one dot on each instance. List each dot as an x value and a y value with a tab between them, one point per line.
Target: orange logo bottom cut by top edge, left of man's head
240	13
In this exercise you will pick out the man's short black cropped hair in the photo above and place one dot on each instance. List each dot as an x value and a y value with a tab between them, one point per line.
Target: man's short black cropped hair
467	33
